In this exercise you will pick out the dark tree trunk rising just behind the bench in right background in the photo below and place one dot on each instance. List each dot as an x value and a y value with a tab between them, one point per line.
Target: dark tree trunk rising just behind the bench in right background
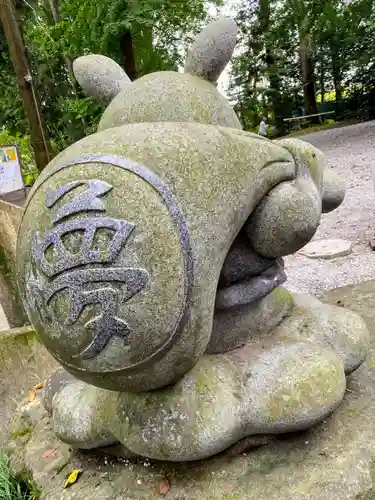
308	76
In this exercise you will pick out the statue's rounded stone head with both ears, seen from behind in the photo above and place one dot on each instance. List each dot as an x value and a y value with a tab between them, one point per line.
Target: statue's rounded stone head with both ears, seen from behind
191	96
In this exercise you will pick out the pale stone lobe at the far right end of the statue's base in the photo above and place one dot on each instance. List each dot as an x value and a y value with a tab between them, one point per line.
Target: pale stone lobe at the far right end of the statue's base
341	330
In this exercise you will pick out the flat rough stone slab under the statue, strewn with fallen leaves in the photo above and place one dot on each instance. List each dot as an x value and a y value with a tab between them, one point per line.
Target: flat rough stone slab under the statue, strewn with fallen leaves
335	460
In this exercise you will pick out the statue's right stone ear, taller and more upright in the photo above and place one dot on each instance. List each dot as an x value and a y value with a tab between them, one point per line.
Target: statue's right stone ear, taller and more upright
212	50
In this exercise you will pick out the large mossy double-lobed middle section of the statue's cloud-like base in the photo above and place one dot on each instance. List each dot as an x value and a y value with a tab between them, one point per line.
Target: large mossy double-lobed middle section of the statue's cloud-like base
286	387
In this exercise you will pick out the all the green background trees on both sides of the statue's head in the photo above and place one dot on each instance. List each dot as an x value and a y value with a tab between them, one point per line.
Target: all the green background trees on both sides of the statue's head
285	48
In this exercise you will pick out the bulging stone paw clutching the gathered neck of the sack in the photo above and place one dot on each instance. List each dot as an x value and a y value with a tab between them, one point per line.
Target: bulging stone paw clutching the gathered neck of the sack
299	204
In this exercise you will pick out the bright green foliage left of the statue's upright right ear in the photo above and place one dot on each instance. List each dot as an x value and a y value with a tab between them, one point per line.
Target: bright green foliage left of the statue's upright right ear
58	31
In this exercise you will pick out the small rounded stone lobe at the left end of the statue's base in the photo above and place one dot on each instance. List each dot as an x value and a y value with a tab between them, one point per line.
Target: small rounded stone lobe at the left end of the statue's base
82	415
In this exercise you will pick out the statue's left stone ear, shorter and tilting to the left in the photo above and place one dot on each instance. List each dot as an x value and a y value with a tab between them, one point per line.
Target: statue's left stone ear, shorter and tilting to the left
100	77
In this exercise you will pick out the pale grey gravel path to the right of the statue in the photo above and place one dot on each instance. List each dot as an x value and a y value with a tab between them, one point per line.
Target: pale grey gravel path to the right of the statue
350	152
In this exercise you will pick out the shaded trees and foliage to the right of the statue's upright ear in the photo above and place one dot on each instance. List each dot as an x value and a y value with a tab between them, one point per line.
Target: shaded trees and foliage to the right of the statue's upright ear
340	42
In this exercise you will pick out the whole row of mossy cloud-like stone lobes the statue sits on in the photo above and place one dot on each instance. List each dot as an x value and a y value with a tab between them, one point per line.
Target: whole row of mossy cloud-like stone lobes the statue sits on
286	380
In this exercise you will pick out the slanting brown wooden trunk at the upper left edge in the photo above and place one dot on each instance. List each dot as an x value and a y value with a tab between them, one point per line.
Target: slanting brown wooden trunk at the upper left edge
38	132
